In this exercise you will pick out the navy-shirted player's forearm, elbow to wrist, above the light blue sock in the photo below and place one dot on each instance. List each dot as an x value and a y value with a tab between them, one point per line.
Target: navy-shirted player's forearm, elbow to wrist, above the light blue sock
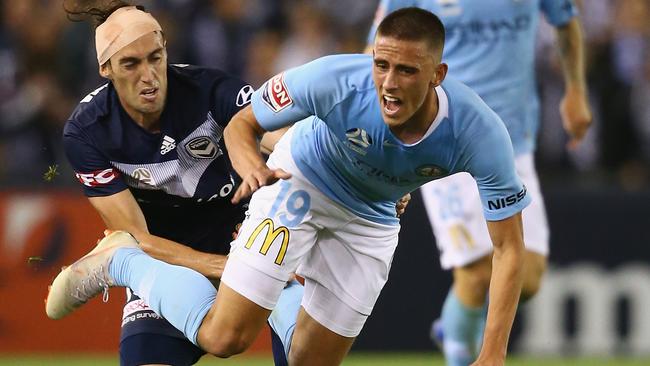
209	265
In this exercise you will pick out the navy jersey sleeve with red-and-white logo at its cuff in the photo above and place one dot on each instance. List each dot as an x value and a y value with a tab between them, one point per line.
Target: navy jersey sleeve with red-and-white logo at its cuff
91	168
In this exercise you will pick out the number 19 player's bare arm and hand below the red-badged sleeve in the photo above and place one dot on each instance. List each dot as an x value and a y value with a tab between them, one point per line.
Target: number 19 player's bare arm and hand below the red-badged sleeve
241	137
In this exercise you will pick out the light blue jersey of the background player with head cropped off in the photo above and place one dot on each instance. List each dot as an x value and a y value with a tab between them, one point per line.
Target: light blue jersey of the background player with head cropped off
489	46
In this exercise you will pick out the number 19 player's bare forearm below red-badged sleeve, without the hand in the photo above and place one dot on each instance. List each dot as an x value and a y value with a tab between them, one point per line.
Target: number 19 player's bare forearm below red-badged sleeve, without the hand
241	139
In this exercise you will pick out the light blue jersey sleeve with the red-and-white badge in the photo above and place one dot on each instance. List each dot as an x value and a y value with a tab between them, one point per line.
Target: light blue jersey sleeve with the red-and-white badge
312	89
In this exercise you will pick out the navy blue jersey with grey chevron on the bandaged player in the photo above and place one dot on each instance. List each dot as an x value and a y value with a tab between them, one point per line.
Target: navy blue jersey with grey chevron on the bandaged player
181	176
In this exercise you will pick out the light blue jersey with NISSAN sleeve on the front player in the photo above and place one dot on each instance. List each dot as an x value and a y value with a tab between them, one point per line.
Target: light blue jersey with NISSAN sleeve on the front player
344	148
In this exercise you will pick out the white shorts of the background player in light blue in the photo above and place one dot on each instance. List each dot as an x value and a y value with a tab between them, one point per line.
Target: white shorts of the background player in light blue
456	215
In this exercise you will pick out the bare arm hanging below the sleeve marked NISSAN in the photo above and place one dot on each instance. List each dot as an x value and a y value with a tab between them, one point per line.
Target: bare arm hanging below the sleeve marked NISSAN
505	287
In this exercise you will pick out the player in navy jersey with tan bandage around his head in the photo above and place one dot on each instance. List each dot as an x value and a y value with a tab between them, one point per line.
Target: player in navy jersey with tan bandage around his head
147	149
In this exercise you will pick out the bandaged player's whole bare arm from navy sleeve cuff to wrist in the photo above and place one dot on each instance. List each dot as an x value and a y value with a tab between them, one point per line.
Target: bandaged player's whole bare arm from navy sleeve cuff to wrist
120	211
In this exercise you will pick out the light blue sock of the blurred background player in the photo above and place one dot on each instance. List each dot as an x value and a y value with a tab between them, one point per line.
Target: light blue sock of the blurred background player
461	326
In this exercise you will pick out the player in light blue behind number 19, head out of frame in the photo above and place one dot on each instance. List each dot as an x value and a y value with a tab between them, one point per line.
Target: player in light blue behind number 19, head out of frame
490	48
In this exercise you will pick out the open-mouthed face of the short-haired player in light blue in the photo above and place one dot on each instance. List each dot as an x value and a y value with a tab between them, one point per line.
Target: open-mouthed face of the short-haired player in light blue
405	73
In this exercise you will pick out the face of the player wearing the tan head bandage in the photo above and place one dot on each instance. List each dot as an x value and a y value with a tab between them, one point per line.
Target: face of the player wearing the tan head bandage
139	74
